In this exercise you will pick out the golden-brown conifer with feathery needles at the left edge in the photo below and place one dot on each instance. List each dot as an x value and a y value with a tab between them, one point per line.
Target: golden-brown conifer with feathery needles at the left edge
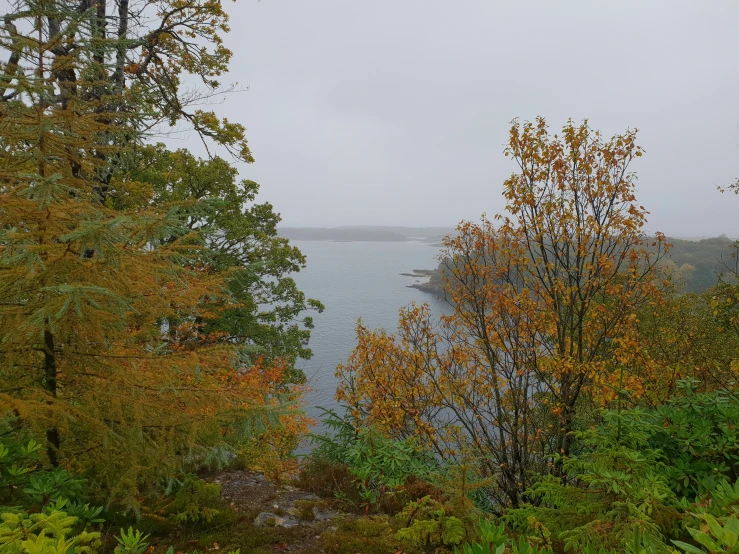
101	346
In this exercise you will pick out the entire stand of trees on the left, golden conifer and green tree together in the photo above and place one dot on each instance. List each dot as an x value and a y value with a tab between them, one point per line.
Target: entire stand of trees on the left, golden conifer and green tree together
149	323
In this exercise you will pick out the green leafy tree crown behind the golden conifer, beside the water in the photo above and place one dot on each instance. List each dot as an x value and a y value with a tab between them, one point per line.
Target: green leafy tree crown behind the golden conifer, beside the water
238	237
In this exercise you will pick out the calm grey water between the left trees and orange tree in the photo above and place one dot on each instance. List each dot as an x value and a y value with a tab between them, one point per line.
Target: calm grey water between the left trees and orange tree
356	280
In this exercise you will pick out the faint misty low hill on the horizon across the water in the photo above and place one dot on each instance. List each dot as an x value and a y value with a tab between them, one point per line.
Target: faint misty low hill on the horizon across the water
374	233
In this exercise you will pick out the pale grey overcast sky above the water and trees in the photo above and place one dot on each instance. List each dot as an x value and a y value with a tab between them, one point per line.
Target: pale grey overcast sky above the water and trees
395	112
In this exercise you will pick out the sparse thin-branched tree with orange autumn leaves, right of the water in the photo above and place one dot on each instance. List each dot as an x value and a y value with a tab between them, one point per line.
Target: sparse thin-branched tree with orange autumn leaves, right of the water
544	313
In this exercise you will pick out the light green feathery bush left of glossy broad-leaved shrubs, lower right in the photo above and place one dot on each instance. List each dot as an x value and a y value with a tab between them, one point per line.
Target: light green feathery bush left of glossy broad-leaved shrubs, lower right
615	489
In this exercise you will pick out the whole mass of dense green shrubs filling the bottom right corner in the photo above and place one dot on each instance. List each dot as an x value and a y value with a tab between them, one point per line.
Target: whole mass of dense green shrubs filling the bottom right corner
646	473
